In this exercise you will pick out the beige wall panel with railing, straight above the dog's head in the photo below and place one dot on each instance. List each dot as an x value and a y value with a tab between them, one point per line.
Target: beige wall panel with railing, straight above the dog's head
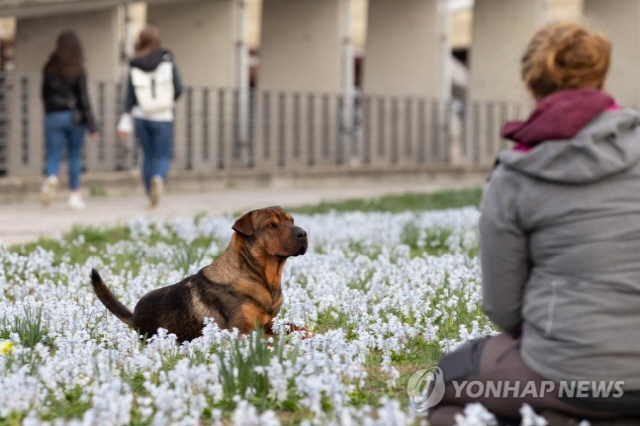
305	76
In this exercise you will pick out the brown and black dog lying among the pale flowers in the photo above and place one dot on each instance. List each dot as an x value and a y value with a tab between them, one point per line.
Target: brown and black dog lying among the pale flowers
240	289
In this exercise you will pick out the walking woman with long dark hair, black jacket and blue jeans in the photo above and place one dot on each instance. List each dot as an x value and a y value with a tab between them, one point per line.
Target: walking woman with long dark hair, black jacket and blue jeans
67	115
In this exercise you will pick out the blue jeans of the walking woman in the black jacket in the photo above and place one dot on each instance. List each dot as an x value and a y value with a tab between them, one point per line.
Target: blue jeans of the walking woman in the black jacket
61	130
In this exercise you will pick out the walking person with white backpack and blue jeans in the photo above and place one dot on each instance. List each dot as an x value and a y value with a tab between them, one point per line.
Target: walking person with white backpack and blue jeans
153	86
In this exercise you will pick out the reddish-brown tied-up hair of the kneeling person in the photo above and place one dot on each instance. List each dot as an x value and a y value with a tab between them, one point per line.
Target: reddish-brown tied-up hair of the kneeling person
564	56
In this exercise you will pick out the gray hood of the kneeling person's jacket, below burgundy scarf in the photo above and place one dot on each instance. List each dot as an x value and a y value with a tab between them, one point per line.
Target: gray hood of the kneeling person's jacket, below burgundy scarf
608	144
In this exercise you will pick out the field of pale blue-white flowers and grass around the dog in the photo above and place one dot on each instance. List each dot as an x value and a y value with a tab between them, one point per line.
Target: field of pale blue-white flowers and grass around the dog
386	294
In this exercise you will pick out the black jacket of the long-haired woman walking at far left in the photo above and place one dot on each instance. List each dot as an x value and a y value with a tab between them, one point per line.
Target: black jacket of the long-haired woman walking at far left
63	95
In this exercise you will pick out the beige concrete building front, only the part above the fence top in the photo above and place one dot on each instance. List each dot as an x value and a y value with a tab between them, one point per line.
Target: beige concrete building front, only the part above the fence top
307	45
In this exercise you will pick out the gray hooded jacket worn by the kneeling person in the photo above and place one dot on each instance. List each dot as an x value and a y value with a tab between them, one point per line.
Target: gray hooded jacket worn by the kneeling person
560	251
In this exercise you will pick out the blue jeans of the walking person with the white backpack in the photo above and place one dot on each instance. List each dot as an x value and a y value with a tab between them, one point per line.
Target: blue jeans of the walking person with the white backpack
156	139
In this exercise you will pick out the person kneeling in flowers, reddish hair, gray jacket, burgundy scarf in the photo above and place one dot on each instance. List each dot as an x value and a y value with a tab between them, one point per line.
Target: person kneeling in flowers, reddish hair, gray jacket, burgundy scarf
559	243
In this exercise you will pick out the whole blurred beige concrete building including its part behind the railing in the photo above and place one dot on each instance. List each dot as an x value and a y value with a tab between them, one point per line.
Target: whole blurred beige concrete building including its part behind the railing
307	52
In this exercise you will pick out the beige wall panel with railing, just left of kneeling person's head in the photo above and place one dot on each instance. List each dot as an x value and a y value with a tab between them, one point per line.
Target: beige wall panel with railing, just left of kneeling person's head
501	32
